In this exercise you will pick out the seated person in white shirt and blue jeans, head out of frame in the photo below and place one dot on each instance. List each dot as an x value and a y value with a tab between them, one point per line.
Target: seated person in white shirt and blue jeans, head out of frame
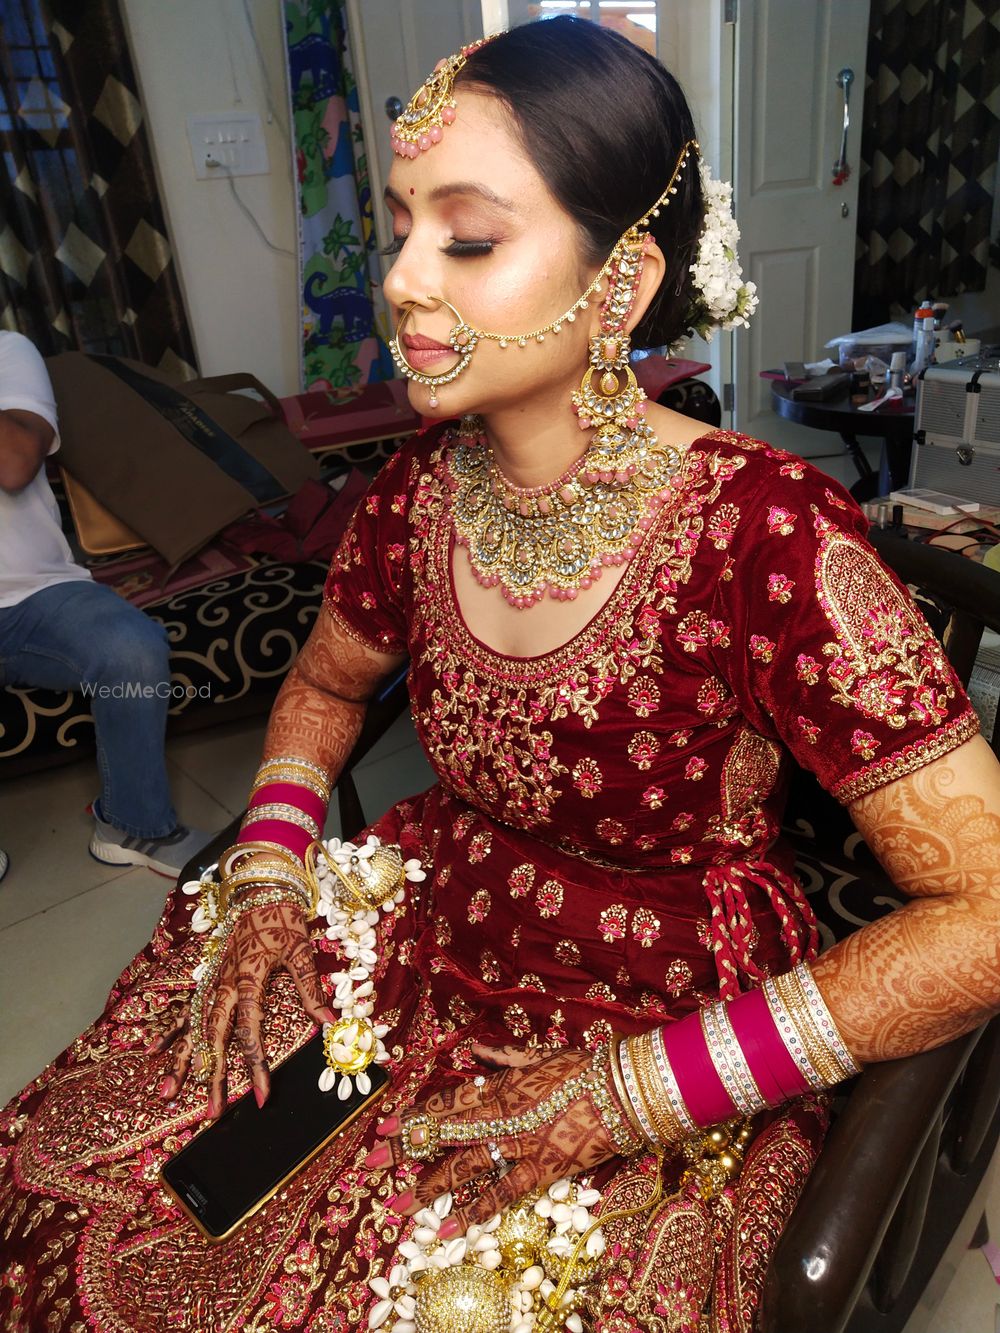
63	631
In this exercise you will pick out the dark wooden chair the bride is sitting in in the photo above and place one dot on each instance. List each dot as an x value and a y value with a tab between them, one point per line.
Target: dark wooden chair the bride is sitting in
899	1184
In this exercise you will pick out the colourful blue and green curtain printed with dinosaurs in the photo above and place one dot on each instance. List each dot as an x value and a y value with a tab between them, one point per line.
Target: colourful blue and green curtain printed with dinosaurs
345	341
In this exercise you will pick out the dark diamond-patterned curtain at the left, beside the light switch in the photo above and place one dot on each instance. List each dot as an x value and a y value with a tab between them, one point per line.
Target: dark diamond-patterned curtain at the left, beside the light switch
85	257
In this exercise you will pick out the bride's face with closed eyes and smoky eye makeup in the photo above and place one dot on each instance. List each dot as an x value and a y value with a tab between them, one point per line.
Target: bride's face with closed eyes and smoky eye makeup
477	225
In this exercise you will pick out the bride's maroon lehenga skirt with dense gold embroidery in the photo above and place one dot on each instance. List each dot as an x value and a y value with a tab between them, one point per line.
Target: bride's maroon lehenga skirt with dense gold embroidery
91	1242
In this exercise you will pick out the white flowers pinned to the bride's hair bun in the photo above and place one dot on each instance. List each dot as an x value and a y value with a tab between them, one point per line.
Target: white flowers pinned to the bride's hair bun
725	301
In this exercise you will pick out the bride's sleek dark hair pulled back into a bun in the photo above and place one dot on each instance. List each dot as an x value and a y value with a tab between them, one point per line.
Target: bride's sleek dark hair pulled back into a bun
605	123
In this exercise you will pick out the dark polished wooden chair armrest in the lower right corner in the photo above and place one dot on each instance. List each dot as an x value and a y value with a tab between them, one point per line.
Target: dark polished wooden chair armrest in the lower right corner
827	1251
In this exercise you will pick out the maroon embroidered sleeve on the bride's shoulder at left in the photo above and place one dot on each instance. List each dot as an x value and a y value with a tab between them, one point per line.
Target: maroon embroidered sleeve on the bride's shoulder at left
366	586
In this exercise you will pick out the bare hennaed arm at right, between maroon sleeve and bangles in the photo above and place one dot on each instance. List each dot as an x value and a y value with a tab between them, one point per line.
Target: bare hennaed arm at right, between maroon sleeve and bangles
930	971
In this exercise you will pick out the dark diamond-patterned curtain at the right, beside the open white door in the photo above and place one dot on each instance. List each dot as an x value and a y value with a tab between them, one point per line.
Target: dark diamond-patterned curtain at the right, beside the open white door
930	145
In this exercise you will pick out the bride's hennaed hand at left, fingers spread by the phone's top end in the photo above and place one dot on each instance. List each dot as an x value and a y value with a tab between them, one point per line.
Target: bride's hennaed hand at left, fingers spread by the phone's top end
265	939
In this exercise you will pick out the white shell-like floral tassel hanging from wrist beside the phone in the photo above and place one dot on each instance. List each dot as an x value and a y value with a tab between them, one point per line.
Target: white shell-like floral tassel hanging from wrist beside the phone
355	886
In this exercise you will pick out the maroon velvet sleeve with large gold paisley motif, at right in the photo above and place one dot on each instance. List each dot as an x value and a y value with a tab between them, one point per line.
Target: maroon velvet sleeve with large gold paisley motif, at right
829	653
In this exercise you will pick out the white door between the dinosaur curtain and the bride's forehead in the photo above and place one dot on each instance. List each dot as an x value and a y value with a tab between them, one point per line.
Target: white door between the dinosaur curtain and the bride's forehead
397	45
